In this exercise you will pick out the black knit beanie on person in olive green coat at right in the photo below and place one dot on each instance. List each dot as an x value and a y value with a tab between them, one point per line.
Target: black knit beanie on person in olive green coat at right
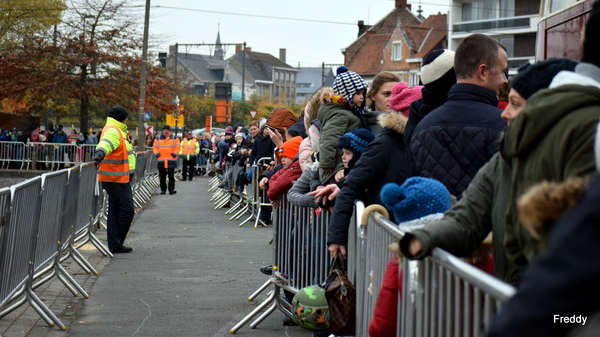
537	76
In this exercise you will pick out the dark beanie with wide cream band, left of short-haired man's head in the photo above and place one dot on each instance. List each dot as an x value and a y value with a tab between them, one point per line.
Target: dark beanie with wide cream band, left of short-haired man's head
437	71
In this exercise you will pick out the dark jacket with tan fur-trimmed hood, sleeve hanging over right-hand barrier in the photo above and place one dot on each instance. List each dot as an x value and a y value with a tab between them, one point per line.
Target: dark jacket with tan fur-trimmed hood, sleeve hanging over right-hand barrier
383	161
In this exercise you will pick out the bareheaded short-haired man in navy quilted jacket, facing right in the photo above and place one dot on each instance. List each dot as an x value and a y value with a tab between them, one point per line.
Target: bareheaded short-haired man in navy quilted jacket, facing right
453	141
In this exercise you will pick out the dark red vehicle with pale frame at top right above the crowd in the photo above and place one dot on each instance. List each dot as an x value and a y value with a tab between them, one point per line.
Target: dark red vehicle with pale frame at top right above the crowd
559	28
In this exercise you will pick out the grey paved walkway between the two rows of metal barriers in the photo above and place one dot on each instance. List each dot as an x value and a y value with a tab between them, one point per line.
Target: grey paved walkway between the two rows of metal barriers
190	274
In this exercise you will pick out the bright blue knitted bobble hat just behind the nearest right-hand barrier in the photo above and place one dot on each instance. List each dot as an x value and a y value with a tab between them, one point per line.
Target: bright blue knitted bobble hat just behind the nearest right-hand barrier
415	198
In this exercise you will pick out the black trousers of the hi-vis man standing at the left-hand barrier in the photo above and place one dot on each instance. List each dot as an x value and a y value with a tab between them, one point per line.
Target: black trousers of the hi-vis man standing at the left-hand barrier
120	213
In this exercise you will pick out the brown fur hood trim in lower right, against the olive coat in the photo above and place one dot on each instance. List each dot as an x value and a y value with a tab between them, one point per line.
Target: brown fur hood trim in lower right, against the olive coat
543	204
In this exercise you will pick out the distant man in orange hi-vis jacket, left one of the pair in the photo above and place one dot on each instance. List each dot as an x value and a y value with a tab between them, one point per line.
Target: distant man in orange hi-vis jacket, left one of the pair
166	149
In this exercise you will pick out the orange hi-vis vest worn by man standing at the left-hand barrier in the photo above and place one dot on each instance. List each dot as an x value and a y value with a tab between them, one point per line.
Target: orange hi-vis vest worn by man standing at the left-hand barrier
115	166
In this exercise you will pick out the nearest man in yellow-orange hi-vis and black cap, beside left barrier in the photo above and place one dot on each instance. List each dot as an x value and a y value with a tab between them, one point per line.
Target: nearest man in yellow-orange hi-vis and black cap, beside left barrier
115	162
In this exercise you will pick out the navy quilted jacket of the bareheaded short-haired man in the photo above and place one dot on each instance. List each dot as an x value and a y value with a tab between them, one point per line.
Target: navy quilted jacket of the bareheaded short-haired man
455	140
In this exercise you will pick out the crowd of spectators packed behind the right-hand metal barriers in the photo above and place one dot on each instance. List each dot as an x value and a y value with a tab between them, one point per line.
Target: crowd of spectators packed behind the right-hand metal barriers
471	161
